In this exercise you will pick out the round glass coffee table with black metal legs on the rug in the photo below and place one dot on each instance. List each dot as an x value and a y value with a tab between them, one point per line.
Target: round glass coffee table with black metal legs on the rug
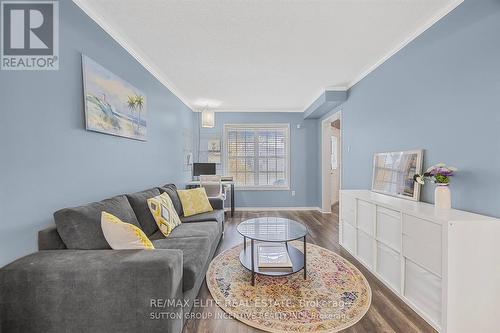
274	230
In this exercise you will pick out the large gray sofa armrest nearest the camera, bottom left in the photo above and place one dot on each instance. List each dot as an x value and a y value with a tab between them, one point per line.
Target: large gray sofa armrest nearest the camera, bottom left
93	291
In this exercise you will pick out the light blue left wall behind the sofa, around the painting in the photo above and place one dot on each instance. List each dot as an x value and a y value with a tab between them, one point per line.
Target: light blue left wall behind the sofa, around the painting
47	159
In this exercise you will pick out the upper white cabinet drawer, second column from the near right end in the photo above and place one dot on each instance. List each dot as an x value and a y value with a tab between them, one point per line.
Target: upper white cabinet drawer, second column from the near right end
389	227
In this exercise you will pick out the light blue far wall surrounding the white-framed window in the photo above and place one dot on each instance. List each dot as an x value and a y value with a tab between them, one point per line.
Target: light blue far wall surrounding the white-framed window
304	158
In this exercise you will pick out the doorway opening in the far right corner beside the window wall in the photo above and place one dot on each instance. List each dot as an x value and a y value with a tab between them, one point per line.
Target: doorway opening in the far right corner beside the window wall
330	162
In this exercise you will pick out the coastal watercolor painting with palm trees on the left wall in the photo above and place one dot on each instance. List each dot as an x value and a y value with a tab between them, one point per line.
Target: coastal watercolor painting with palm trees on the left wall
112	105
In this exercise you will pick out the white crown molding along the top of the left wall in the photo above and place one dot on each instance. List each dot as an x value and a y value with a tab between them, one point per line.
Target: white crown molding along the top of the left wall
127	45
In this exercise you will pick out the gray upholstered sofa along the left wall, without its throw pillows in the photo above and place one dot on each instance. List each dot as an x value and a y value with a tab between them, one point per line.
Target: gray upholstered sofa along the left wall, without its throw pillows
76	283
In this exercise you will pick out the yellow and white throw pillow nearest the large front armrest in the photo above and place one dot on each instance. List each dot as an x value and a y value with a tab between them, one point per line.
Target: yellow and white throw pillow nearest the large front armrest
123	236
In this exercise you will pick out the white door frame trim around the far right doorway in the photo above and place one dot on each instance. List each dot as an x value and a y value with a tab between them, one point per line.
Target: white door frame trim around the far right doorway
325	197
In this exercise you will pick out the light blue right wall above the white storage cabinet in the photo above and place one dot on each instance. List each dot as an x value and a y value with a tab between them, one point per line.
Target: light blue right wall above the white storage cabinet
440	93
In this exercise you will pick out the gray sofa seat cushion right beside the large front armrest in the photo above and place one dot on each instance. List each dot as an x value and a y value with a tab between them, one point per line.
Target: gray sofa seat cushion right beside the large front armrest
195	255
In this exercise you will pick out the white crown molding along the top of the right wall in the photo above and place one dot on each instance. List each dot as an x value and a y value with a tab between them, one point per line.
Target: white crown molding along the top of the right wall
408	40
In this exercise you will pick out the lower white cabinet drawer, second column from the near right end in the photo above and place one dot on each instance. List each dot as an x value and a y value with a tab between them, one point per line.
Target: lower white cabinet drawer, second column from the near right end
389	266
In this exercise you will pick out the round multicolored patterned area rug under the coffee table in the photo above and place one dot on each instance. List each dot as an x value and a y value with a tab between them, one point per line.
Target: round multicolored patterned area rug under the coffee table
334	296
